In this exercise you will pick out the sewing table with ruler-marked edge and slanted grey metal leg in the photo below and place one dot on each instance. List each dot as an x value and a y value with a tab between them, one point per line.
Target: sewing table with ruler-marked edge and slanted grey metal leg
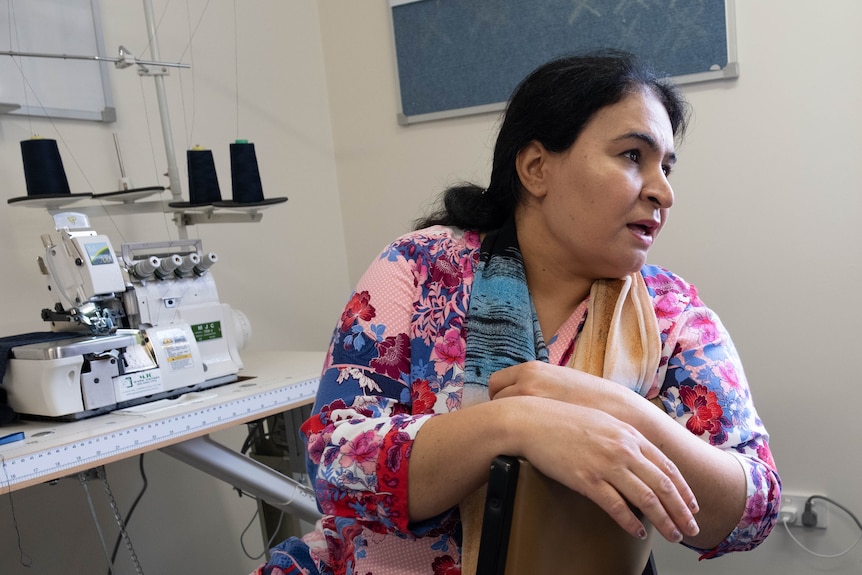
271	382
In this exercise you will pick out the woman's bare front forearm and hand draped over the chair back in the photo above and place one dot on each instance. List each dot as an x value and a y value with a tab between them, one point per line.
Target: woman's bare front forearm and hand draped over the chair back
590	452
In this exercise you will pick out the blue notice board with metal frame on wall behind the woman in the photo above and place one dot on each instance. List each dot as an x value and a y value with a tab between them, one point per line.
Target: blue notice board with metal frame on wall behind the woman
464	57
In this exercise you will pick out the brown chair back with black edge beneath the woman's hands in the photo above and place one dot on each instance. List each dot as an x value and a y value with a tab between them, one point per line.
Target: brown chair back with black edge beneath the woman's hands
532	524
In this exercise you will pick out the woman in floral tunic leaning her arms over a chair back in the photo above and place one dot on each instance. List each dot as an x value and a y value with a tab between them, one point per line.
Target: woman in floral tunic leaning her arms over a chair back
497	296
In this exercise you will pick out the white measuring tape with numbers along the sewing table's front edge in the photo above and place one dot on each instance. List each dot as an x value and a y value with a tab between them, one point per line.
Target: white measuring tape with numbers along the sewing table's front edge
78	454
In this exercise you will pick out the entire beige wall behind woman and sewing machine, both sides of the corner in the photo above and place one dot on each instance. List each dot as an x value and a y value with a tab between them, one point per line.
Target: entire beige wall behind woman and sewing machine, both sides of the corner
766	224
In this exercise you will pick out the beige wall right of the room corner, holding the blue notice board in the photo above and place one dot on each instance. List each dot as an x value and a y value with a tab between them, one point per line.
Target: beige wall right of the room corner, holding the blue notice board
766	224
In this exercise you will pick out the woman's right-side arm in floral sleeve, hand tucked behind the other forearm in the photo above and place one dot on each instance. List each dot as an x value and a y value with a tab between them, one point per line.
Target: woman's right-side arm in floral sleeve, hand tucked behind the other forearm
713	435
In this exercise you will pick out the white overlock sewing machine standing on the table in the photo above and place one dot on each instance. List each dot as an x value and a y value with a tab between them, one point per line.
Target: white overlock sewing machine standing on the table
151	327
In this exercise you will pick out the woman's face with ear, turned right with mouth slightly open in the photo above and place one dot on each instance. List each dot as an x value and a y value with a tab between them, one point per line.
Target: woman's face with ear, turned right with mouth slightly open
598	206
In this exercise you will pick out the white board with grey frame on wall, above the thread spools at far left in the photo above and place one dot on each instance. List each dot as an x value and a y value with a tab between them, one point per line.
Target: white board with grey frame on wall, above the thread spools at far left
54	87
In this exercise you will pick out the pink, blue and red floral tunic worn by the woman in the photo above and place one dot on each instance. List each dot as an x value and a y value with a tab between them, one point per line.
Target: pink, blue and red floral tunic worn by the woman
396	359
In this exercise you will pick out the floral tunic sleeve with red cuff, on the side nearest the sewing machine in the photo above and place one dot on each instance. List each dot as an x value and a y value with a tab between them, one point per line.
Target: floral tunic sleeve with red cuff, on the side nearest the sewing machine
393	363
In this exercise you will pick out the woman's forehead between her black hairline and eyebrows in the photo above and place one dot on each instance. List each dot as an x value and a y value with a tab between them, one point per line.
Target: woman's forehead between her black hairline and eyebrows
640	112
